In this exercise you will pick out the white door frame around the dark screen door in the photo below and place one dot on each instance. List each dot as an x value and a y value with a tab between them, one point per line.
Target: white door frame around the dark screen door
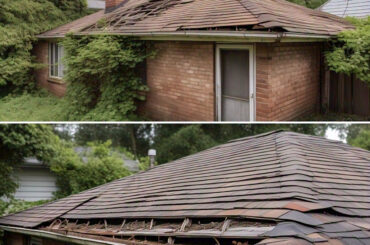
252	77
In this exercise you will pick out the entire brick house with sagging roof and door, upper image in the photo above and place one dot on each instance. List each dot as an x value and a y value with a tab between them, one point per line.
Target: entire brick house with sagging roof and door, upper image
217	60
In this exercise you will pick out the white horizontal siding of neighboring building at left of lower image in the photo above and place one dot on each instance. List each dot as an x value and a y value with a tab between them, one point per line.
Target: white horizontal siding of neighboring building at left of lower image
35	183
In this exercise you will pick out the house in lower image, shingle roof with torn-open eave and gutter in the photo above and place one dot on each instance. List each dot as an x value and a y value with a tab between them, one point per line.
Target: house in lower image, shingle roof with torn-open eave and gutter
277	188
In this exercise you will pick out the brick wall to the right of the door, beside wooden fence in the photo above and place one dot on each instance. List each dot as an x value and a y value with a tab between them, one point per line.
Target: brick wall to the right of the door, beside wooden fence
288	80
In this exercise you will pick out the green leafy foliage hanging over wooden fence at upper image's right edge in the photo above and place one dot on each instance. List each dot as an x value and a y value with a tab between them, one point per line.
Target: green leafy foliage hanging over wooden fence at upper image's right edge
350	54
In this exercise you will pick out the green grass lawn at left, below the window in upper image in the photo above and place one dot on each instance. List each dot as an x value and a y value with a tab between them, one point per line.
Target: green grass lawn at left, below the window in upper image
39	106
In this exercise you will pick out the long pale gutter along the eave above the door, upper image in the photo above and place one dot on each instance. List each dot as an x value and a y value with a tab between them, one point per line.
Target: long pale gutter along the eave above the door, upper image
203	35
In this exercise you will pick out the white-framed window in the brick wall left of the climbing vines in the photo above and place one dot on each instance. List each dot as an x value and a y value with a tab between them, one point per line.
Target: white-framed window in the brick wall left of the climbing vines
56	67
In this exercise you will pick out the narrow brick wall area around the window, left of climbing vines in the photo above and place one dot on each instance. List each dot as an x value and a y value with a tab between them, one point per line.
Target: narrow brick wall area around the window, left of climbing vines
40	50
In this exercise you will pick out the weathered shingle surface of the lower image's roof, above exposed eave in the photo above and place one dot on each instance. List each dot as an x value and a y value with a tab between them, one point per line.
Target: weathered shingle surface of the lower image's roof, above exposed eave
315	190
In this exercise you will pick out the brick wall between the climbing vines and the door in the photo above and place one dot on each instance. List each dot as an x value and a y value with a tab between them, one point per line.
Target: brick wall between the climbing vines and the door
181	82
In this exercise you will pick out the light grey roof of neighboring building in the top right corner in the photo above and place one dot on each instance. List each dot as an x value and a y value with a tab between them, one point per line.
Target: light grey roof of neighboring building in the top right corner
344	8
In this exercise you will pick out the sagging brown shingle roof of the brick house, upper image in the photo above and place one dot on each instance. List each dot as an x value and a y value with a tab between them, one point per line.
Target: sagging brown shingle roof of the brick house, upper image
140	17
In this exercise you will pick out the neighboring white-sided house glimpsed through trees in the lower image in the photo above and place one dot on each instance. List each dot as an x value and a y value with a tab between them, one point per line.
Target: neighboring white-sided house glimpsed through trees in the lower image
36	181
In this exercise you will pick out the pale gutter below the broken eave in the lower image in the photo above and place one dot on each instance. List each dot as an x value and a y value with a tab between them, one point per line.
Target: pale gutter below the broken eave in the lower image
56	236
